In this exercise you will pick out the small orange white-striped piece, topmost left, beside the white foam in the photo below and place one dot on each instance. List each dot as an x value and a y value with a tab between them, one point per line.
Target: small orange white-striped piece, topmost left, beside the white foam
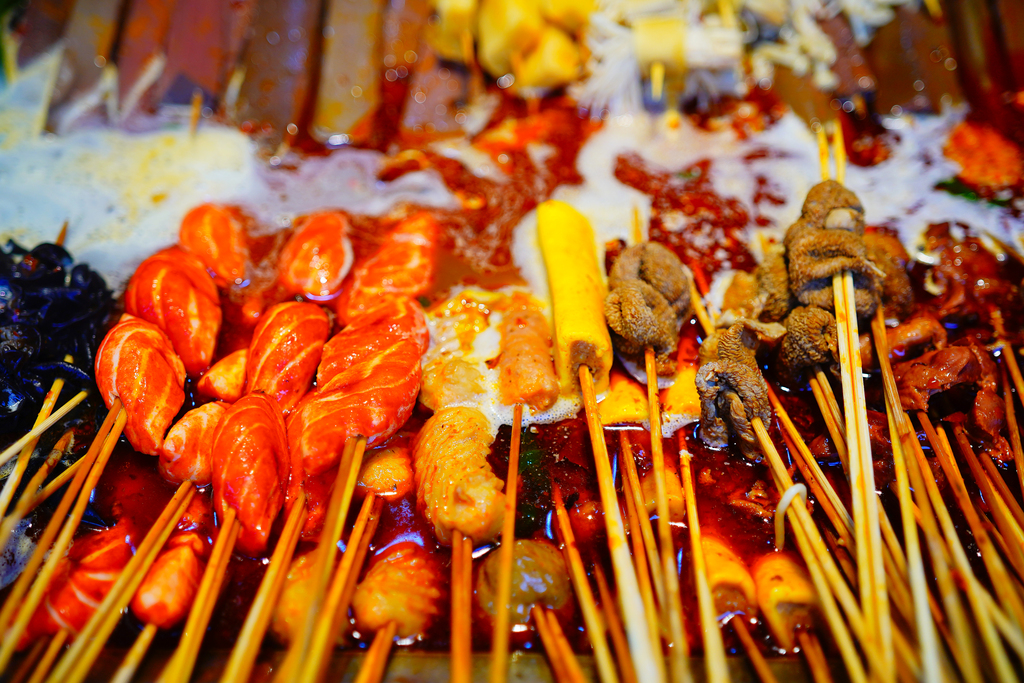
217	236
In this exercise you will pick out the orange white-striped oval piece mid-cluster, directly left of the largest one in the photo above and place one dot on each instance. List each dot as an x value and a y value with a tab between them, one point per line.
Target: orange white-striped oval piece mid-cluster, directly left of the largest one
285	352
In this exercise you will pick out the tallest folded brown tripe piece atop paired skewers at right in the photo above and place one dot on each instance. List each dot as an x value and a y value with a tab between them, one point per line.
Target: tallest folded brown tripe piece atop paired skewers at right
829	240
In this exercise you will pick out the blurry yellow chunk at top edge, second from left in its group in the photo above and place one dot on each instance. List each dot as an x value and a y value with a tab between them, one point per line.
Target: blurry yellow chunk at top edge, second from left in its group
506	27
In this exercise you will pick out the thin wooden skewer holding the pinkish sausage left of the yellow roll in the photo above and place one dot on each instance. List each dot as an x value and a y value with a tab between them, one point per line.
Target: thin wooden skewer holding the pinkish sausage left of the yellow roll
500	639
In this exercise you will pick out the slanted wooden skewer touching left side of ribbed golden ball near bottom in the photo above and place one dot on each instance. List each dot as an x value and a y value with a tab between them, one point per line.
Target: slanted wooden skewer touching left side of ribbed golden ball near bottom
326	631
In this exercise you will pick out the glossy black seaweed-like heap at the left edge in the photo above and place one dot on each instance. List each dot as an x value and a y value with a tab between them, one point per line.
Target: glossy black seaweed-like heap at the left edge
50	309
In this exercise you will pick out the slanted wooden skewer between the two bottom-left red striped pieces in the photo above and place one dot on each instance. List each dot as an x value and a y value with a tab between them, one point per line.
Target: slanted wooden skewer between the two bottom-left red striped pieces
75	665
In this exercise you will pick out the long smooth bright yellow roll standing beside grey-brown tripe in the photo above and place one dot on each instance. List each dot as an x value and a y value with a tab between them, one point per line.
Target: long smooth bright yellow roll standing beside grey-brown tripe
578	292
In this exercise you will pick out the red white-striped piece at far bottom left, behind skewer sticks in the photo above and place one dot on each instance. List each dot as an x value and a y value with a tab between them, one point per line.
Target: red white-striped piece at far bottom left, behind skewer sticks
82	581
